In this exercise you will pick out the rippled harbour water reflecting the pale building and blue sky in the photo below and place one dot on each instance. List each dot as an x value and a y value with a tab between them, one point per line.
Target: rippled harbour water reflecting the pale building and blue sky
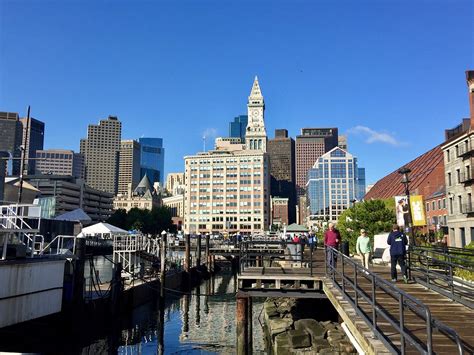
202	322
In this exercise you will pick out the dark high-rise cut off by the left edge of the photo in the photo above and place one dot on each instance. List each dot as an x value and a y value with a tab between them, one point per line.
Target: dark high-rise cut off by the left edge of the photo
11	139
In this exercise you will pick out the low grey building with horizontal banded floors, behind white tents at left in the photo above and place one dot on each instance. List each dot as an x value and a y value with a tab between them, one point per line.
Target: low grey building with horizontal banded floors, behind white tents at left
60	194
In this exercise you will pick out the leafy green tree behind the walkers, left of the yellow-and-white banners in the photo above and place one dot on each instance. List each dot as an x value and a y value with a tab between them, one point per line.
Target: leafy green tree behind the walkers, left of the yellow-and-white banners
375	216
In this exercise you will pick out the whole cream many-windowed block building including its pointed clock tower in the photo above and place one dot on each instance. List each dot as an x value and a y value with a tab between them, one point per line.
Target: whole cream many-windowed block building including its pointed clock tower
227	189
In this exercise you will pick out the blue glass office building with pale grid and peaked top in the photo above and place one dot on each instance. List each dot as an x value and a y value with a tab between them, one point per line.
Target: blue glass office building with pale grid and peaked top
331	185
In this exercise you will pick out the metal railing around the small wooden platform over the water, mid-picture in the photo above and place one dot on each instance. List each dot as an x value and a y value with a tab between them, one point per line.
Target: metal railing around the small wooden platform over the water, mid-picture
265	253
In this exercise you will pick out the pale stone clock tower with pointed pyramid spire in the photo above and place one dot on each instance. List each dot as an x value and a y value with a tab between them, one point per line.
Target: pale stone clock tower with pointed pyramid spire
256	135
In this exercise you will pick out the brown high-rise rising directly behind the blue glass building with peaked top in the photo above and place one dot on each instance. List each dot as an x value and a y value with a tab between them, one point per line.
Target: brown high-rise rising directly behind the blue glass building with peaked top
310	145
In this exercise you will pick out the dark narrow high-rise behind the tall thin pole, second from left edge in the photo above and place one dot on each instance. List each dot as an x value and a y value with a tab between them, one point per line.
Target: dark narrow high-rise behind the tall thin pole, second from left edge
33	135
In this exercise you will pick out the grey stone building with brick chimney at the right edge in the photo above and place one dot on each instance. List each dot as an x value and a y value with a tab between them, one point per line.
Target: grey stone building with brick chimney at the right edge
458	156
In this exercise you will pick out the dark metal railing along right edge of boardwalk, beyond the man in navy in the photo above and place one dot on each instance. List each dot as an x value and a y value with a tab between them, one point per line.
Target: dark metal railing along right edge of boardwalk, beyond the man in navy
436	269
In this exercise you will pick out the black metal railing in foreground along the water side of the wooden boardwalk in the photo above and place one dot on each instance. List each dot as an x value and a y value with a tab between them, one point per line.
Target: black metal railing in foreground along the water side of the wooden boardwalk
362	288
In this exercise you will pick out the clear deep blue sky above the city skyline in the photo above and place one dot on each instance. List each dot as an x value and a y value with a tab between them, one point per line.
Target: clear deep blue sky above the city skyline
390	73
